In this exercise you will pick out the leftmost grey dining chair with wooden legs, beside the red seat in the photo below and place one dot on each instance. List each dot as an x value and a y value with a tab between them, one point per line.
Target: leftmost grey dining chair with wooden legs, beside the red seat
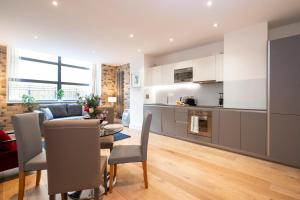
31	157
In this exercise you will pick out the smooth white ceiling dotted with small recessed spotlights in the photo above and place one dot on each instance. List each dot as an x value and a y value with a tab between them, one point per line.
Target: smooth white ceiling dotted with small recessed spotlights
99	30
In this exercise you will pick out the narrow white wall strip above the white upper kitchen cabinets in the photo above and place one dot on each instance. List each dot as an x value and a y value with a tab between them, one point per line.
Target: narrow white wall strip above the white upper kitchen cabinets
189	54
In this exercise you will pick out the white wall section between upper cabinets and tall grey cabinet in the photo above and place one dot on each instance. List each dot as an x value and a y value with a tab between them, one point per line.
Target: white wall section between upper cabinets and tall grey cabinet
245	67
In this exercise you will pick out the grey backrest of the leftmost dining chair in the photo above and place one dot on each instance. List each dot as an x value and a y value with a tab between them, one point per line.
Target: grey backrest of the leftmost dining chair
28	136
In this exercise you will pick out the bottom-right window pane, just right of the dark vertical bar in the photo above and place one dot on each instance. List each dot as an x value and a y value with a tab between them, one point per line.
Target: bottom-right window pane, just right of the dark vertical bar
72	92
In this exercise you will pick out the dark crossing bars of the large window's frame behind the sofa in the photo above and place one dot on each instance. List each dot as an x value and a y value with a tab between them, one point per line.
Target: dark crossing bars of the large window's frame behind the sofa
58	83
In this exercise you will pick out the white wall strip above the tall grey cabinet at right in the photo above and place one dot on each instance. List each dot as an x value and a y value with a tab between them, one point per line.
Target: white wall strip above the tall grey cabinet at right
284	31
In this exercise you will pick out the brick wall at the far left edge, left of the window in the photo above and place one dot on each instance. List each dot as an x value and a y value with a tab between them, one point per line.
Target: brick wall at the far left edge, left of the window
6	110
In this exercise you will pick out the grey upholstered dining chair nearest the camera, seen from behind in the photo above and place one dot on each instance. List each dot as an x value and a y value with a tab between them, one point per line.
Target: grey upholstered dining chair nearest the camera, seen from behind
73	156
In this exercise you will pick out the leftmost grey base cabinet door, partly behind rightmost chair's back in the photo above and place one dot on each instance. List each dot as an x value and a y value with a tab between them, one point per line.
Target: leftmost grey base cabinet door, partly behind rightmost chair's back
156	118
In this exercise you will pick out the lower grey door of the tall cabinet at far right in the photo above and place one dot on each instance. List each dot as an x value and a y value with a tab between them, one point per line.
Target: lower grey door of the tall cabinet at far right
285	139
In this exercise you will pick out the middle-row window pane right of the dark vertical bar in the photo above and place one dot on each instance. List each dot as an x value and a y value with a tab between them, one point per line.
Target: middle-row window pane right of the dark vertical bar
75	75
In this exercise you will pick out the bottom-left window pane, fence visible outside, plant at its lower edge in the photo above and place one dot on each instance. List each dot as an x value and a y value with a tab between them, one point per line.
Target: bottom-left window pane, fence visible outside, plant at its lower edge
39	91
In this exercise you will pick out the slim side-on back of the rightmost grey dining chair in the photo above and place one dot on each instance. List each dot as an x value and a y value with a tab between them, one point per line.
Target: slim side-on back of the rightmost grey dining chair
145	135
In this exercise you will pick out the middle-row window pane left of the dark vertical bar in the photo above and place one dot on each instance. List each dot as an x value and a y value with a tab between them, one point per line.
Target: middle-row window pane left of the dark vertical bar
36	71
